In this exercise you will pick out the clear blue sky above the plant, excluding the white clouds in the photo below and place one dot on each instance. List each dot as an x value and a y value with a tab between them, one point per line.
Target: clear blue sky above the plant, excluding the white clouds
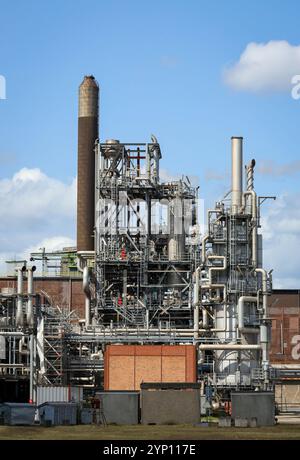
160	67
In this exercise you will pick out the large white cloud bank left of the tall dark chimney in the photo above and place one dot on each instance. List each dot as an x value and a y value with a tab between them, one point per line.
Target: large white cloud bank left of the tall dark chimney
35	211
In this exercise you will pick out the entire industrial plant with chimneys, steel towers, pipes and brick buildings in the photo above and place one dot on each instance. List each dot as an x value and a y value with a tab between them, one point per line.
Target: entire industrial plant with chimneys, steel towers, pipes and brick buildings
145	308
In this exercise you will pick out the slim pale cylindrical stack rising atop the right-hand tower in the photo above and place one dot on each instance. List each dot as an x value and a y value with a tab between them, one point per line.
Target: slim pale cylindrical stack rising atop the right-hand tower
236	174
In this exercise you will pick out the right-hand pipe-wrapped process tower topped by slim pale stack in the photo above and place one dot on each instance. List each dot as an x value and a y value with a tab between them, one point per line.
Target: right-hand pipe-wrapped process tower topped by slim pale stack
232	287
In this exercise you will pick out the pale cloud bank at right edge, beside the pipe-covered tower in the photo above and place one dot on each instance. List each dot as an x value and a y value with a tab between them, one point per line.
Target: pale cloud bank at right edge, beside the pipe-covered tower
281	233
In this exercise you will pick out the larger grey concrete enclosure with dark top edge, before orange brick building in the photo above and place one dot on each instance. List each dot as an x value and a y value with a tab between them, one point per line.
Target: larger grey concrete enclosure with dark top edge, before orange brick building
164	407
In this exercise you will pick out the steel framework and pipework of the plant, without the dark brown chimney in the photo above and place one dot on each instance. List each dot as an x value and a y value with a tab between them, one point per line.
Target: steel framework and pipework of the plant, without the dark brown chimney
153	278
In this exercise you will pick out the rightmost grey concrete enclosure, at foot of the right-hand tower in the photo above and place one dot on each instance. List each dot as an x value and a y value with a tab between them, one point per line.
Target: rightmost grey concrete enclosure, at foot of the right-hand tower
260	405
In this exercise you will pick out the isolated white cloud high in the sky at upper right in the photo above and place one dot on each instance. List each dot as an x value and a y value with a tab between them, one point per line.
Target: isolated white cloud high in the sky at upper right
265	67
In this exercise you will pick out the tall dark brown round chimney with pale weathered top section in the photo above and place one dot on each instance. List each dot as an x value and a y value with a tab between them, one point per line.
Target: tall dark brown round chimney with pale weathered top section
88	117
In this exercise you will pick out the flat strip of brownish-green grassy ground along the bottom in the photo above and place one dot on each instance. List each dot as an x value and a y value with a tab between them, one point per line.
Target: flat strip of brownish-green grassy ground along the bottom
284	430
